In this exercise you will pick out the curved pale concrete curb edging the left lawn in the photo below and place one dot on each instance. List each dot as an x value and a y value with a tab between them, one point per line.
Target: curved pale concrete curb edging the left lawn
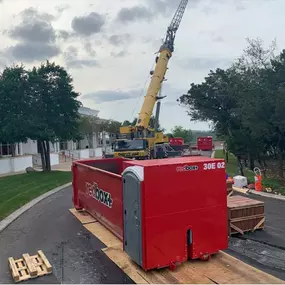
15	215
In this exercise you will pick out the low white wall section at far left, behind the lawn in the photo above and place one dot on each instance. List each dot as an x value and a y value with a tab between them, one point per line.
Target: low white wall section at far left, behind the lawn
15	164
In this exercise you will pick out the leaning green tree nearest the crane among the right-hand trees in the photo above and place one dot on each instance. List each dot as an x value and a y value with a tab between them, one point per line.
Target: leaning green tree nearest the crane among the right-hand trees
216	100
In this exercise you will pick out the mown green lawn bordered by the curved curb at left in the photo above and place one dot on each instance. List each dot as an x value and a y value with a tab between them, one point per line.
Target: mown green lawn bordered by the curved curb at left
18	190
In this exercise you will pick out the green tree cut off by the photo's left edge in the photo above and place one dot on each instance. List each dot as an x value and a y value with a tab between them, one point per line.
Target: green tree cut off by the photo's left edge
15	106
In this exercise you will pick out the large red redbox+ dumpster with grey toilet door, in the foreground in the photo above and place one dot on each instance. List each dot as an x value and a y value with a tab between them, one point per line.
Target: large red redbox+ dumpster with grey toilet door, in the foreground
166	211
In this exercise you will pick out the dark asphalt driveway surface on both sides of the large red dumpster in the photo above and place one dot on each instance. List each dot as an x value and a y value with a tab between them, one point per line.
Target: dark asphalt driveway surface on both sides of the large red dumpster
76	254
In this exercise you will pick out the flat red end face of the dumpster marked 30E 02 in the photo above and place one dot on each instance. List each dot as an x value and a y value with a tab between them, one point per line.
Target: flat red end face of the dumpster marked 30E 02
179	201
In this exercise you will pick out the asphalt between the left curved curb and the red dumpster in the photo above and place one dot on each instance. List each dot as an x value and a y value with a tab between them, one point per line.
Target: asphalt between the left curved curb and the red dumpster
74	253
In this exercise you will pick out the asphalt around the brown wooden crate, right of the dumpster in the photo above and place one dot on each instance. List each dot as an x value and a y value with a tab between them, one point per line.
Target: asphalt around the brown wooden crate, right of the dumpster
264	249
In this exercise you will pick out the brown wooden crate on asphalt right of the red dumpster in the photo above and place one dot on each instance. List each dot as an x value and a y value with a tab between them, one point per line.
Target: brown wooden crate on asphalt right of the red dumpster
245	214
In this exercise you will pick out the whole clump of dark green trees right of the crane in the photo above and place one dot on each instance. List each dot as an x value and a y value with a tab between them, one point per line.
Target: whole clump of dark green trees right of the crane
245	103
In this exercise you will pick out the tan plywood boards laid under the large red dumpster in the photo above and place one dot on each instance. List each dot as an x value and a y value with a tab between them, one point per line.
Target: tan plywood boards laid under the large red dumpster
221	269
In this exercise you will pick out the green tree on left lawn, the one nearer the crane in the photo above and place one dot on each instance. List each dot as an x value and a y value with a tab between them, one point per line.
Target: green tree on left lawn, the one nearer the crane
55	108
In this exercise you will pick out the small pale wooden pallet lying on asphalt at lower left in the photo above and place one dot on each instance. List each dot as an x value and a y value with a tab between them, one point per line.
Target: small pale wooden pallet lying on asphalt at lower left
28	267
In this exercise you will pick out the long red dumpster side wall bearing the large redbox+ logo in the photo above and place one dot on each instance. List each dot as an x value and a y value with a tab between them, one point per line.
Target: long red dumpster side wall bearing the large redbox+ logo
100	193
